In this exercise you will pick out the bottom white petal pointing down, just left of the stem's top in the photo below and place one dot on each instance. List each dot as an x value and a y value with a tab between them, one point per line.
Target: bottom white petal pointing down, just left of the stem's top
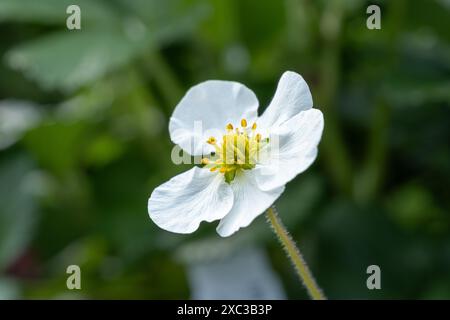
249	202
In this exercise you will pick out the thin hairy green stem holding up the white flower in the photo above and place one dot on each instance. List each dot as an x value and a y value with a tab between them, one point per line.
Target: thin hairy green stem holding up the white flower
294	254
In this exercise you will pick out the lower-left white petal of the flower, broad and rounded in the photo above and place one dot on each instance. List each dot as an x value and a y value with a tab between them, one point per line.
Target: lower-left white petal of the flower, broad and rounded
180	204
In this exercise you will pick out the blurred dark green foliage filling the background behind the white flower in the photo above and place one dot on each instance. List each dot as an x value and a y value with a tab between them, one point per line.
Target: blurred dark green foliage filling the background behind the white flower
83	141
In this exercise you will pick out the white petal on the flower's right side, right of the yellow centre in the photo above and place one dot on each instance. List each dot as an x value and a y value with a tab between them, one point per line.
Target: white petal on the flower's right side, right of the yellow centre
293	149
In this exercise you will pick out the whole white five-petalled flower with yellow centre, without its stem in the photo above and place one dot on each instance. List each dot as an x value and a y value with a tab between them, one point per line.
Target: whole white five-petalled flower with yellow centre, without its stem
249	166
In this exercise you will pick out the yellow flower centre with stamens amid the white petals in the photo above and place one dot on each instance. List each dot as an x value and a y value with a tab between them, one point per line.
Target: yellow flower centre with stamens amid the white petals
239	149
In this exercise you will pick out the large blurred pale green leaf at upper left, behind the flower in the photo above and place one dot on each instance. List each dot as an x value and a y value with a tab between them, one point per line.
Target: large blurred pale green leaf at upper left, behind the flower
68	60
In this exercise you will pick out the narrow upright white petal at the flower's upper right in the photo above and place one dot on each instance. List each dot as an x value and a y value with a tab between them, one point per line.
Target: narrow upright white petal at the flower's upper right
292	96
